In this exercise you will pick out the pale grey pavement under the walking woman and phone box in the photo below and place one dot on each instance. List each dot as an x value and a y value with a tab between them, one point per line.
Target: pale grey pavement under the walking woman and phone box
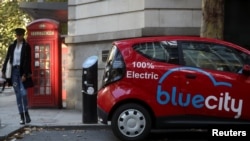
9	117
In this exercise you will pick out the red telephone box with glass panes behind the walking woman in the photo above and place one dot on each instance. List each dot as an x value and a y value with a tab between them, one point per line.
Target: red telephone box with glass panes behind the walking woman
43	36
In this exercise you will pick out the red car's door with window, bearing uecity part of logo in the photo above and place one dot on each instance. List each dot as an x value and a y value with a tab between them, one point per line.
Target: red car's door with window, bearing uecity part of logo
211	82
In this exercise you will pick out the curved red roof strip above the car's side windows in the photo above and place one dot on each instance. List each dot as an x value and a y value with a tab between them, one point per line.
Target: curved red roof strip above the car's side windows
132	41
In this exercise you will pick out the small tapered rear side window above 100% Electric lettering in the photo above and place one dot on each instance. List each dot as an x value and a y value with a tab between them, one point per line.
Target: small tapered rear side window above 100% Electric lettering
163	51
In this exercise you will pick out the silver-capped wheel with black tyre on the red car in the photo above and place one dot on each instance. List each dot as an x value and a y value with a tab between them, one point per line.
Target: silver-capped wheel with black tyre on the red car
131	122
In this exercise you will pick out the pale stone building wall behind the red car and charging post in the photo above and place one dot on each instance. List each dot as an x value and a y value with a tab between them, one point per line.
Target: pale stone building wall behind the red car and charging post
94	24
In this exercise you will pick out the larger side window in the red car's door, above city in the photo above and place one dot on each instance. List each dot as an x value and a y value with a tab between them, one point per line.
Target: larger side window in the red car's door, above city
213	56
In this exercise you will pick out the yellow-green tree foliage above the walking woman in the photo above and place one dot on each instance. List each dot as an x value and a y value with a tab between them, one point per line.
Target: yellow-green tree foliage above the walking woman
11	17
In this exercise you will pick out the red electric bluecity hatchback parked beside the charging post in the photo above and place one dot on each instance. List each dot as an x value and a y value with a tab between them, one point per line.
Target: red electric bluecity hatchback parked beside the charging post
173	81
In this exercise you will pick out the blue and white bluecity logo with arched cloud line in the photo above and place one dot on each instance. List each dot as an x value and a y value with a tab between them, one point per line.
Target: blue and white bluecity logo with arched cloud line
223	102
